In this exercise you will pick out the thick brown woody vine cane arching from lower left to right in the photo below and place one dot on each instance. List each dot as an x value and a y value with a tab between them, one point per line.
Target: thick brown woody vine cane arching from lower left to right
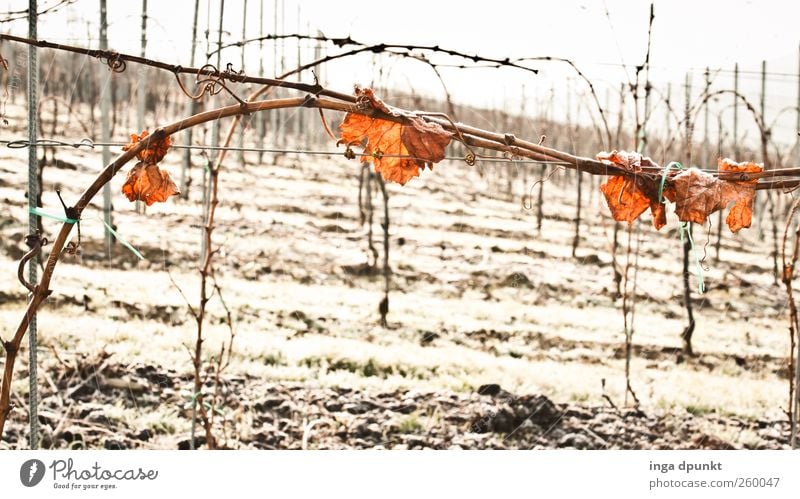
510	146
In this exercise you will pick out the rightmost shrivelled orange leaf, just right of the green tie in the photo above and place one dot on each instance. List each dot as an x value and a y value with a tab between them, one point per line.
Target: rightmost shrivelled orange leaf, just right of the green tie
699	194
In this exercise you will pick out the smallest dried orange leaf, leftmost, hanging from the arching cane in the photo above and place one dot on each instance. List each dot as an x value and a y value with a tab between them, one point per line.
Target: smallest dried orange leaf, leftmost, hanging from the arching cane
146	181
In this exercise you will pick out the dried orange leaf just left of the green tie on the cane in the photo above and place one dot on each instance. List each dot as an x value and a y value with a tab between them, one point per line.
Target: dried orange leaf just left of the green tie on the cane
629	196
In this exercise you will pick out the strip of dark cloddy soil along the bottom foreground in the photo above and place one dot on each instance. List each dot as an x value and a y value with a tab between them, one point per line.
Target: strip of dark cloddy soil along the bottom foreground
297	416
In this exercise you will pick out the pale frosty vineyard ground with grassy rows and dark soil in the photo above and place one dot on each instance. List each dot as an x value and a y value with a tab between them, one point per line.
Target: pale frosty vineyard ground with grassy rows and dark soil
479	297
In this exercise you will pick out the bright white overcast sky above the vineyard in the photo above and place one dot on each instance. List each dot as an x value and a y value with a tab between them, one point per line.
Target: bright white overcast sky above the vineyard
687	36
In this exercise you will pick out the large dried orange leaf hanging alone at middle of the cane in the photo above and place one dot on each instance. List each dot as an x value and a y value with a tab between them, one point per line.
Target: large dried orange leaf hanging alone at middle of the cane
388	142
